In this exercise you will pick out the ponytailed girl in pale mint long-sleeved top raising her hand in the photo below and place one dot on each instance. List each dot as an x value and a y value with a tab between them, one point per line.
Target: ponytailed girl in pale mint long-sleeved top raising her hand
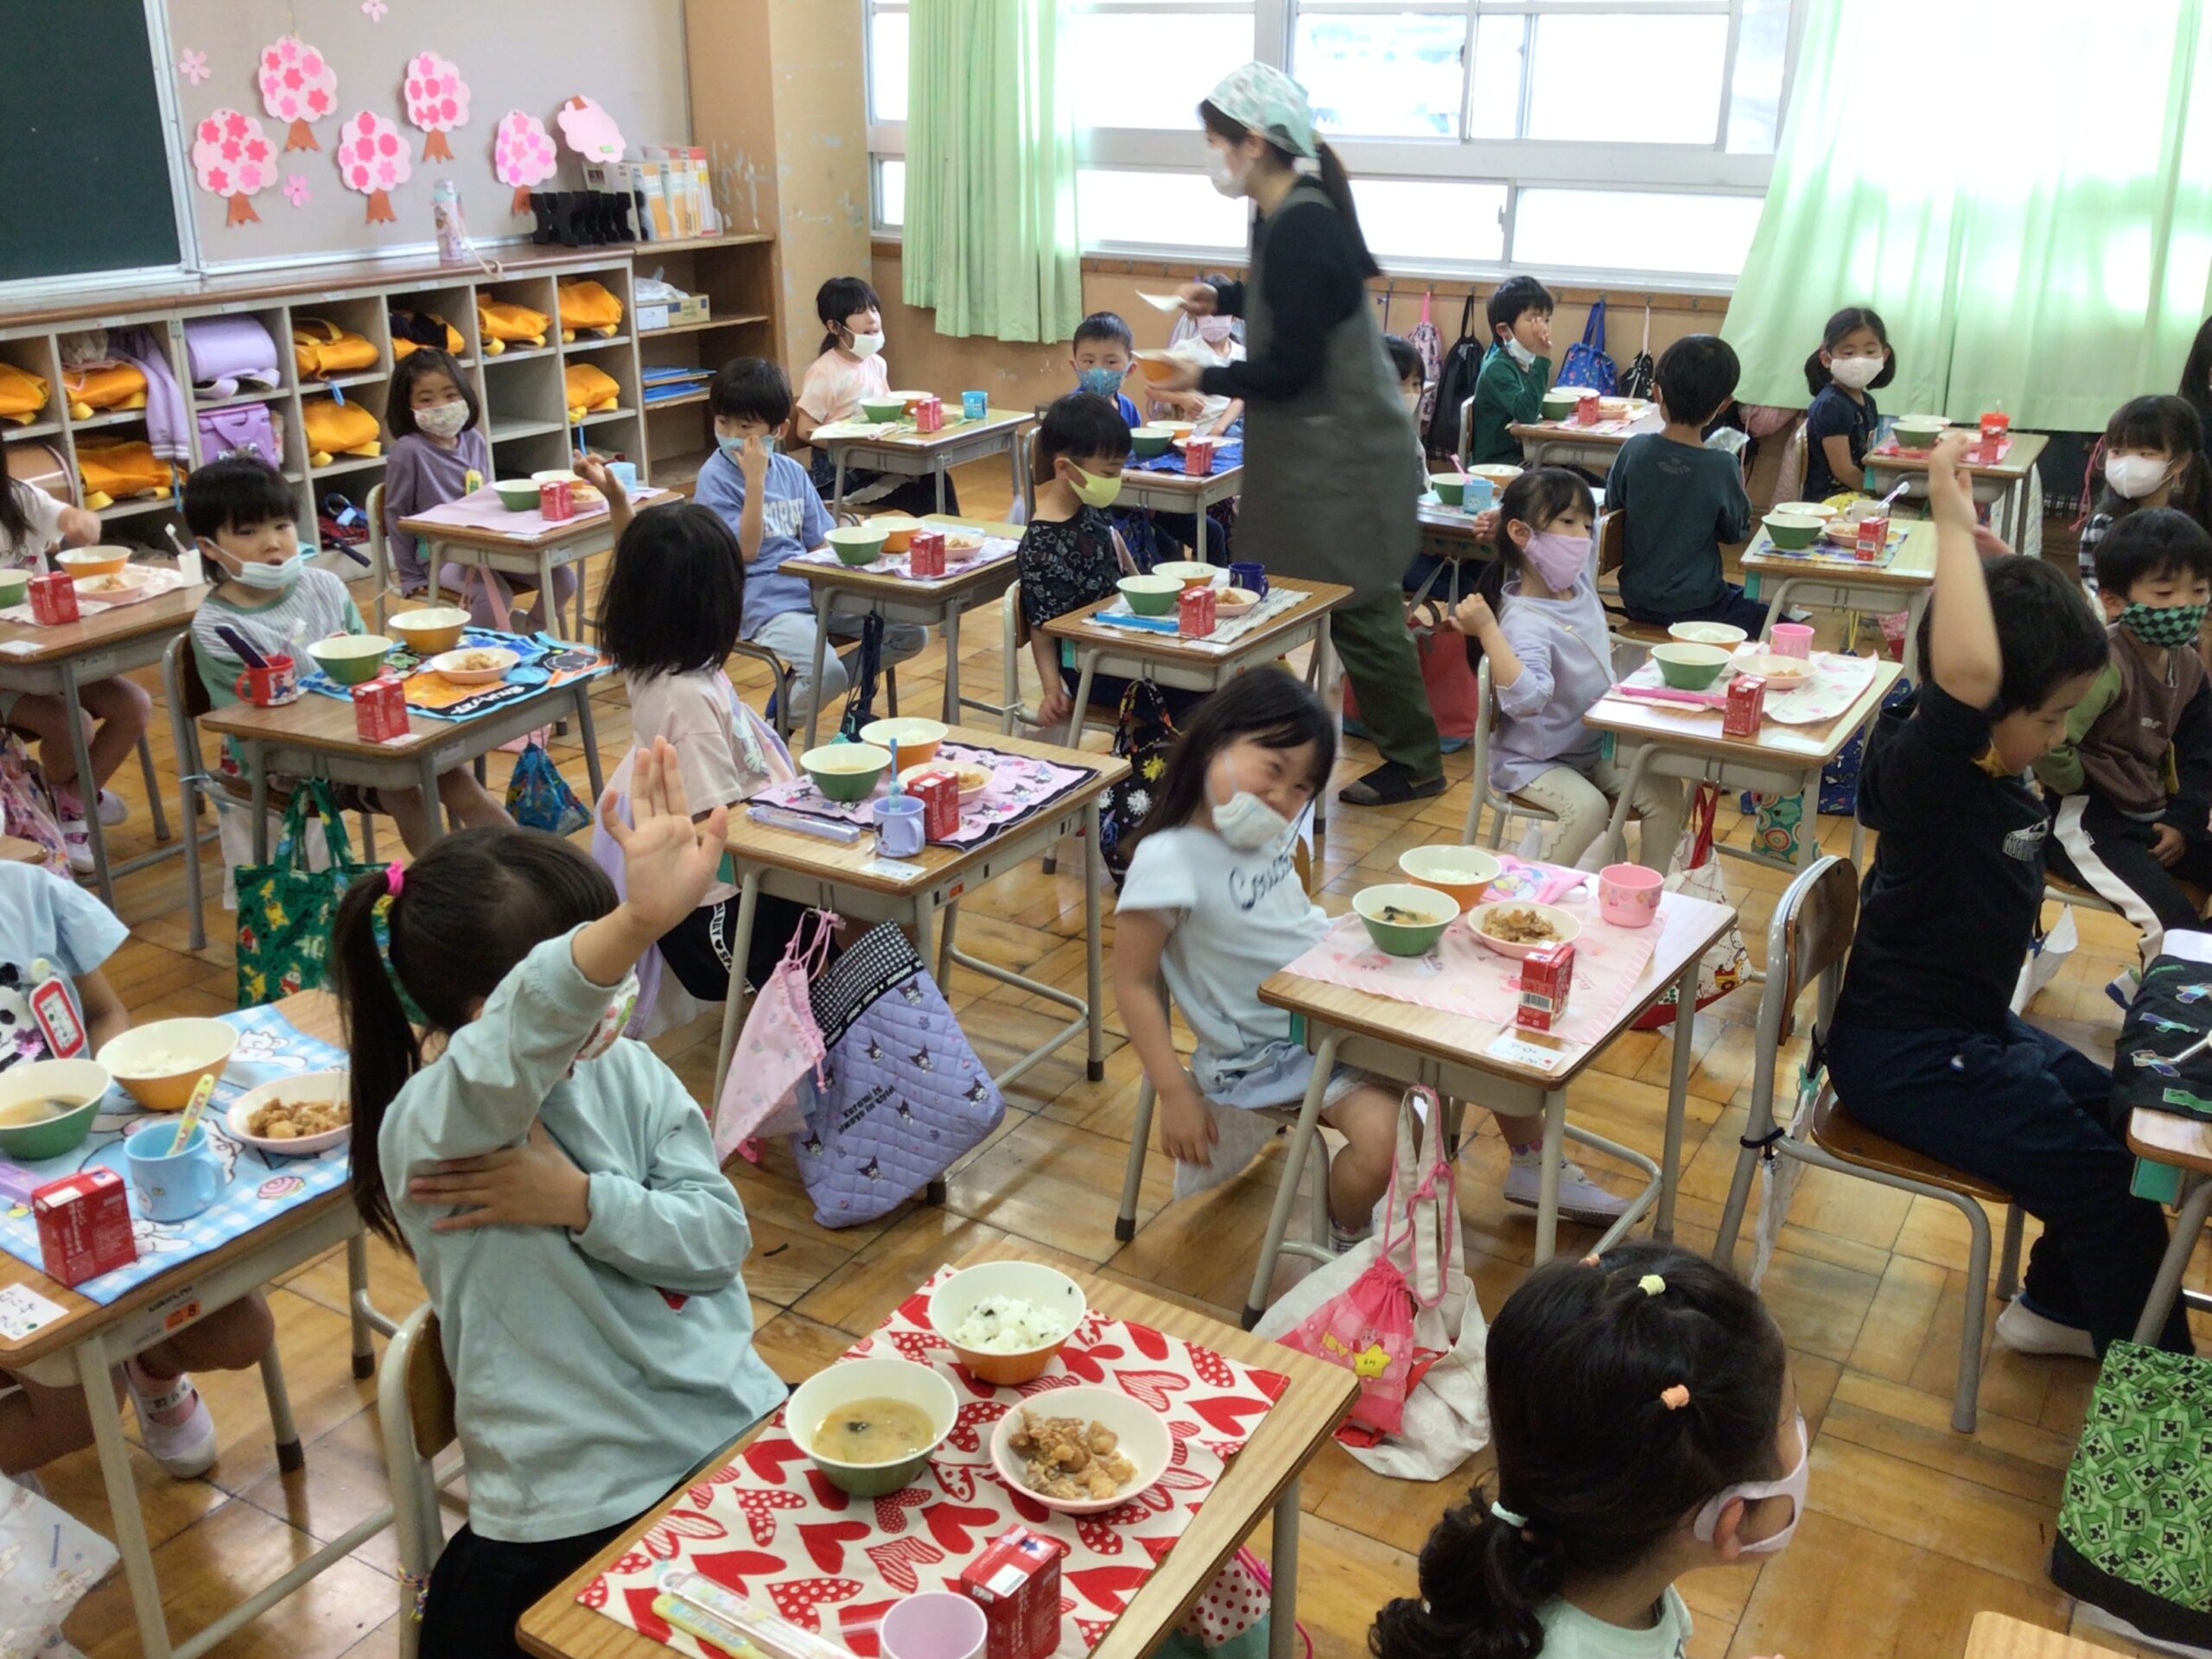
554	1185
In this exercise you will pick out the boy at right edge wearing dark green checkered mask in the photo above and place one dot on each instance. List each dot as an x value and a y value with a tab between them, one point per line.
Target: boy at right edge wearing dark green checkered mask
2133	782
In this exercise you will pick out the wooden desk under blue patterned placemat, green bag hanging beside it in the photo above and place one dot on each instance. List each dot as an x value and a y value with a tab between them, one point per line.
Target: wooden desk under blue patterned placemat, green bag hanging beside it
317	738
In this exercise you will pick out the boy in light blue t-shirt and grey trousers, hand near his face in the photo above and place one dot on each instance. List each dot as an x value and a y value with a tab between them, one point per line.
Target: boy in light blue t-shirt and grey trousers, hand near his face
775	512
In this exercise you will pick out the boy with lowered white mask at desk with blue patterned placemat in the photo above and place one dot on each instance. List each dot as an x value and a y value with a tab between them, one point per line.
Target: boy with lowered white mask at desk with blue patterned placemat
242	514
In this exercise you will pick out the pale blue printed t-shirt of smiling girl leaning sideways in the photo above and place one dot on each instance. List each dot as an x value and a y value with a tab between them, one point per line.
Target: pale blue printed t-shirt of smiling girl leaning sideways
1238	917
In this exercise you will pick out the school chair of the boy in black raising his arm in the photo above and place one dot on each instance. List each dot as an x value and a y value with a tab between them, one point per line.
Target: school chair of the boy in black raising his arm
1806	946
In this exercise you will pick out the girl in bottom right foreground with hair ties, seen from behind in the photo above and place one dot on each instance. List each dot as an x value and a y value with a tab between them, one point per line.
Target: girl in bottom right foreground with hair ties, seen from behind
1647	1426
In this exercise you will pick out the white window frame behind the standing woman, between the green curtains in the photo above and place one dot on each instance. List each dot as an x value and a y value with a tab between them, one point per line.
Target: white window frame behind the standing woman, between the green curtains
1516	165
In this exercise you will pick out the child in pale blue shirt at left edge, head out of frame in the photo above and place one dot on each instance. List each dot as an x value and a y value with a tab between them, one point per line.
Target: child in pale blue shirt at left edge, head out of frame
56	928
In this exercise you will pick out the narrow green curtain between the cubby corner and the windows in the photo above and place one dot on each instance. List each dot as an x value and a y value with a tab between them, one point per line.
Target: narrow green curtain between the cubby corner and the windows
990	238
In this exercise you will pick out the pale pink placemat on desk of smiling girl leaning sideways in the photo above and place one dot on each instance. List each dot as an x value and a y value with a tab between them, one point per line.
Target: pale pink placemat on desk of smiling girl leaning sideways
1470	981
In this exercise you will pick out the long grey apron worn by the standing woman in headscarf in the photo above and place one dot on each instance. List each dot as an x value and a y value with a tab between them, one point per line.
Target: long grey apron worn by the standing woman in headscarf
1331	474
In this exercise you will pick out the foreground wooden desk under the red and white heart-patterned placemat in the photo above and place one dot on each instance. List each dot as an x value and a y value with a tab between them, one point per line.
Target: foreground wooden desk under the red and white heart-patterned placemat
1260	1481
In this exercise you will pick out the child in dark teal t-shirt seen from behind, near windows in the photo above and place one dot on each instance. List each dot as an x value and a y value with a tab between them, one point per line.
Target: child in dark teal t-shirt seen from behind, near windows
1684	499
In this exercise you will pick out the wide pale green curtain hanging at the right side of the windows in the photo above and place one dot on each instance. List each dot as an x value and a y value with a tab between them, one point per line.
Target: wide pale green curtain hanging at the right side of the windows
2030	207
